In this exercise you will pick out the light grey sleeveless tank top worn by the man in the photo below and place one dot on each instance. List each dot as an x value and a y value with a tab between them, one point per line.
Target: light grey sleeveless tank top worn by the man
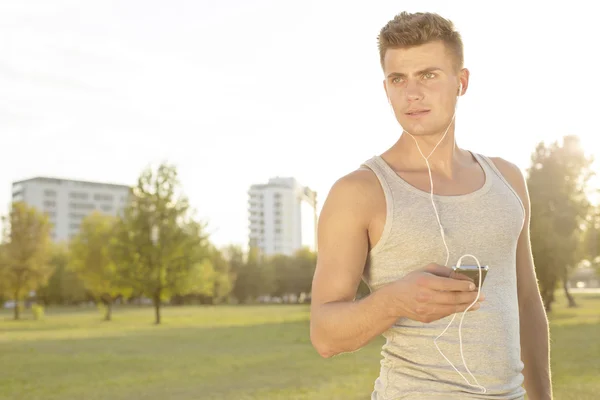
485	223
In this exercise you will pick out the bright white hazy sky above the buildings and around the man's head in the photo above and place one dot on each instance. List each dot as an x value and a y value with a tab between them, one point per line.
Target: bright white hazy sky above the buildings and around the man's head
236	92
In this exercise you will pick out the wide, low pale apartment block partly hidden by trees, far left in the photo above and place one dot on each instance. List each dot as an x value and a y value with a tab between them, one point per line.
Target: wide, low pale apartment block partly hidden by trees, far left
67	202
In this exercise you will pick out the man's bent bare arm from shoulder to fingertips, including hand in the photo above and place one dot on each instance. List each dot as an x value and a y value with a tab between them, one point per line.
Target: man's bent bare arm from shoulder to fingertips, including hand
338	322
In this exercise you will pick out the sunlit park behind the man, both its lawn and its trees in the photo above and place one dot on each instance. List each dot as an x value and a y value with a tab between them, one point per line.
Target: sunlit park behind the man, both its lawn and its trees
132	309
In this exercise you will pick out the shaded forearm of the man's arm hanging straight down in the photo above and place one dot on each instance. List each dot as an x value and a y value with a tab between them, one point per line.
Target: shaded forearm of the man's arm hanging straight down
535	351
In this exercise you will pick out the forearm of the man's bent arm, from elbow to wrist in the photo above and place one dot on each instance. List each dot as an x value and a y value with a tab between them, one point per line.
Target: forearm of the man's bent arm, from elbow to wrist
340	327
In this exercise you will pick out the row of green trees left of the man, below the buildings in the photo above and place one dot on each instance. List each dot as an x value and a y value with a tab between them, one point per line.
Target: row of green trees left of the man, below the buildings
156	251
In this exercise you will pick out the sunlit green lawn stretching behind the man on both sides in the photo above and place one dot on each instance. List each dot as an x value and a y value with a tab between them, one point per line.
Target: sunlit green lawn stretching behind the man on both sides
242	353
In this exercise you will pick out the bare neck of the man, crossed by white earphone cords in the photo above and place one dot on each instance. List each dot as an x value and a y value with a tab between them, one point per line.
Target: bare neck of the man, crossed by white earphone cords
447	155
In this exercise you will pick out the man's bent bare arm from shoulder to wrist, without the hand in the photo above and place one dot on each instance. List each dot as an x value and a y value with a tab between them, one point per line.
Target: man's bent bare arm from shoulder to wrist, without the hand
338	323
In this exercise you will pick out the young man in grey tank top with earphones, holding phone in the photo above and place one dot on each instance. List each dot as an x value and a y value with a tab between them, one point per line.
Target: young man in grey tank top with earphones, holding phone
379	224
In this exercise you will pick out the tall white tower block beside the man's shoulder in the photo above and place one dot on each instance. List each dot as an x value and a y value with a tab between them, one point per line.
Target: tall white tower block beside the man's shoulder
282	217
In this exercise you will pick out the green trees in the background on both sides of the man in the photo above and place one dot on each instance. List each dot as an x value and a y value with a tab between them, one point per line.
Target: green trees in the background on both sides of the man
158	252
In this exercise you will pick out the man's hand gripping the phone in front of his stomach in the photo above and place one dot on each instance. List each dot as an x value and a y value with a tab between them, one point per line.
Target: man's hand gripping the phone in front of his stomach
432	293
